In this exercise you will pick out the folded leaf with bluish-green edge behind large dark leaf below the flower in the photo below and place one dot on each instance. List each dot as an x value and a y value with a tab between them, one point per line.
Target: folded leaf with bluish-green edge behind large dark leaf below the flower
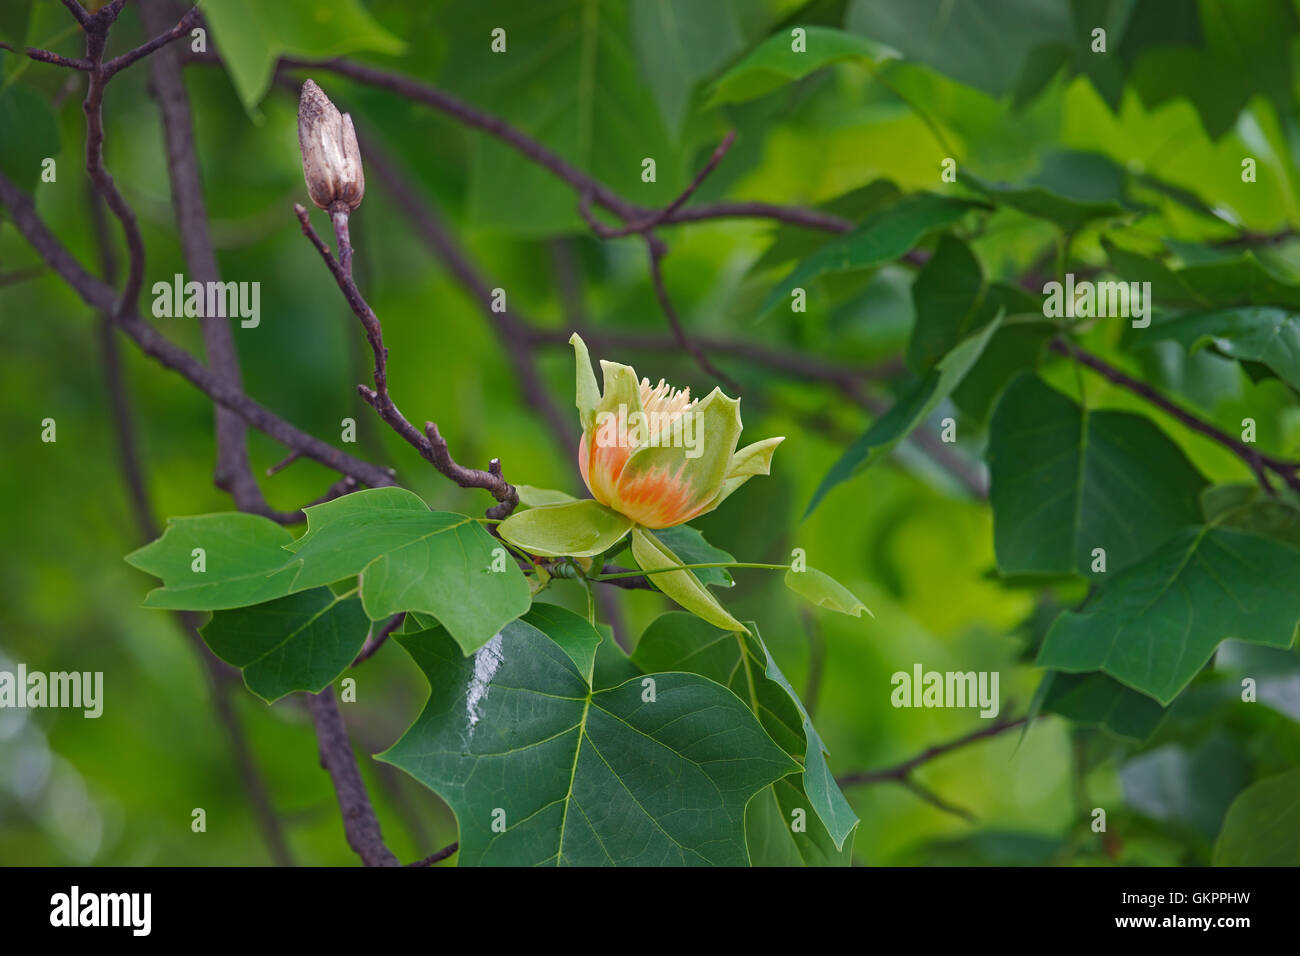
743	663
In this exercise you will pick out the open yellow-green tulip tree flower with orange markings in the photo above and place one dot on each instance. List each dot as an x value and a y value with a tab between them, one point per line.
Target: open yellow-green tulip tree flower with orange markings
653	458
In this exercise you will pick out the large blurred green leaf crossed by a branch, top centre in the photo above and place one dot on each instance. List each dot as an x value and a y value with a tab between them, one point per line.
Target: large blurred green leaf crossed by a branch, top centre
571	80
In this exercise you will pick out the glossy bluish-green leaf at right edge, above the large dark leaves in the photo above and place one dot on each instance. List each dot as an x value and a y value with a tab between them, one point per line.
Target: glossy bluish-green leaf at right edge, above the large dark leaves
1264	335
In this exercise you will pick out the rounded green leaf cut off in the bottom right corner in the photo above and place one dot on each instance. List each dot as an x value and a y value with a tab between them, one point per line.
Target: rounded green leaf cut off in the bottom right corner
1263	825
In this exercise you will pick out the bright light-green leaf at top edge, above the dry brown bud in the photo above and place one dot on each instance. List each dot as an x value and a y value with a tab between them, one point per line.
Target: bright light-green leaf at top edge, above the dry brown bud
253	36
